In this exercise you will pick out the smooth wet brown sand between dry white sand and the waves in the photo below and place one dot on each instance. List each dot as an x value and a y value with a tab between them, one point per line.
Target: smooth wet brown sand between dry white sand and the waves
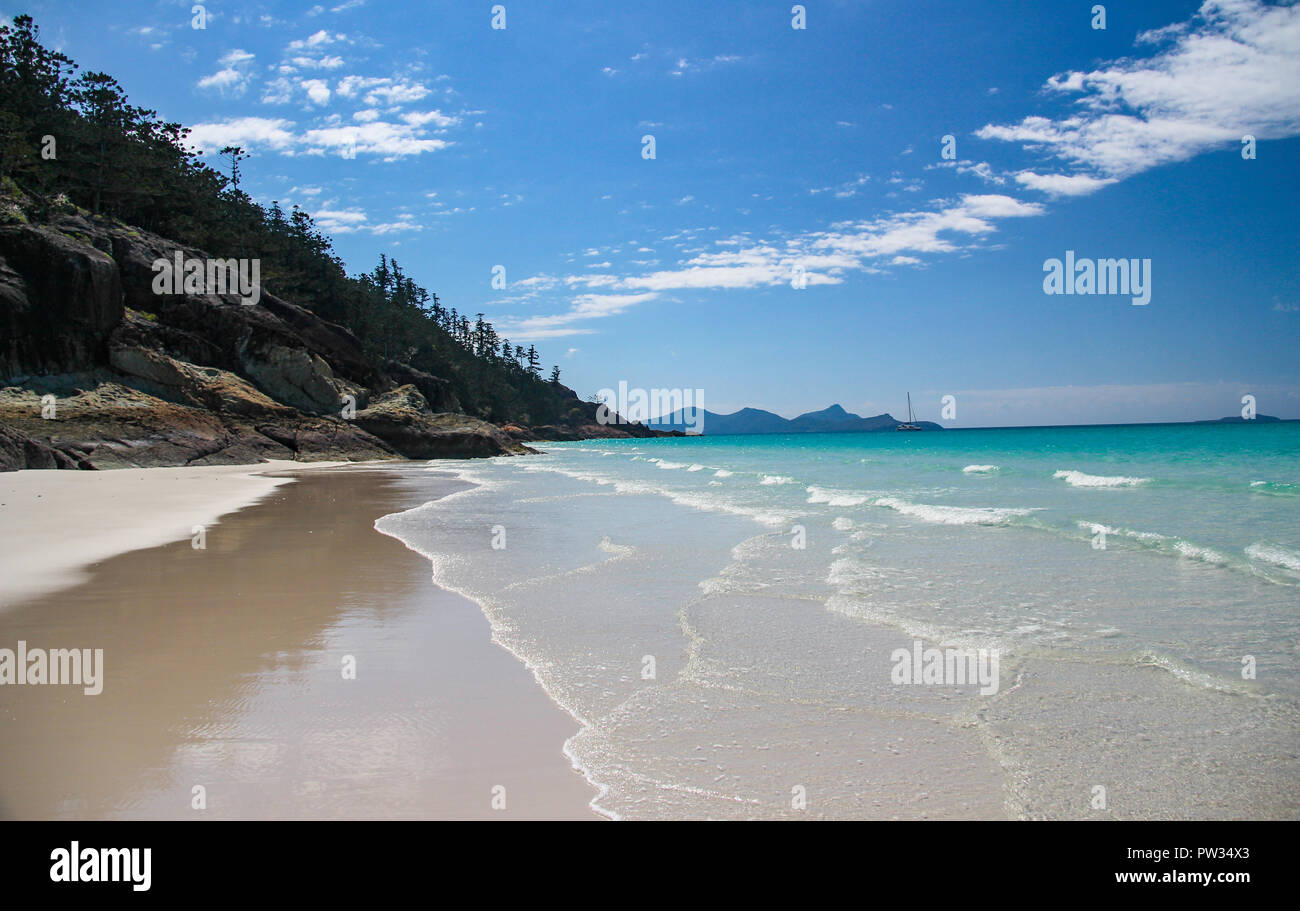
224	673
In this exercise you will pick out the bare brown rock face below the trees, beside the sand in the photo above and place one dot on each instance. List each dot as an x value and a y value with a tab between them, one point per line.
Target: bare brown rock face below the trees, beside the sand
99	371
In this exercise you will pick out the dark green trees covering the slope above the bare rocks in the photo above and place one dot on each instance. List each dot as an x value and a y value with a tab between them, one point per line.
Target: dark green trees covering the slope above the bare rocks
68	138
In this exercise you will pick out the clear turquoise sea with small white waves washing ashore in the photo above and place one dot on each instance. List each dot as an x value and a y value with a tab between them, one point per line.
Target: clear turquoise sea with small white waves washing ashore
722	614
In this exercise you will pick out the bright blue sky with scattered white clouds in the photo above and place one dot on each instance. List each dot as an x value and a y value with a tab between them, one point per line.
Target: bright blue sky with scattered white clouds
781	149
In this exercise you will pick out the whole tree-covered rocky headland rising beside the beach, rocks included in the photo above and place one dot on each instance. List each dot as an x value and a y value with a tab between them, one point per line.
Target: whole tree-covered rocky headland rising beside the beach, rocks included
99	368
